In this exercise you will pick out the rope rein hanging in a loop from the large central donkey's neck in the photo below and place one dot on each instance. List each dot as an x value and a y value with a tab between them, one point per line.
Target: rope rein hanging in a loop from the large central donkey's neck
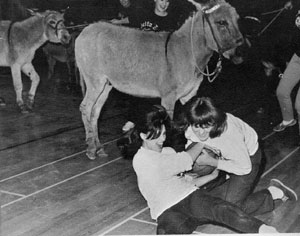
218	68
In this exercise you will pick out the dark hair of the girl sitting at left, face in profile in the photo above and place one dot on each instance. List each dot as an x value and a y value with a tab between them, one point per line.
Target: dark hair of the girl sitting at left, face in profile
154	120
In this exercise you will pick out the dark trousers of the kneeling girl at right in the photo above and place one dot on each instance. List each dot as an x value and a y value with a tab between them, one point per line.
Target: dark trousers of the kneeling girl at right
238	189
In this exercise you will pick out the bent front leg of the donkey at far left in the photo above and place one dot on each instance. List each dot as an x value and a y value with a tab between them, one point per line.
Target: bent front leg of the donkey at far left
29	70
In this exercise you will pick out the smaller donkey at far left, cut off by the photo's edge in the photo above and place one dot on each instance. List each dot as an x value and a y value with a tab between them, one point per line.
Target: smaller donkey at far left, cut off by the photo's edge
20	40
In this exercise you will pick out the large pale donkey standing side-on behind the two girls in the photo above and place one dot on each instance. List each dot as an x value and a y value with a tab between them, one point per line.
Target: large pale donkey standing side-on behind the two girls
151	64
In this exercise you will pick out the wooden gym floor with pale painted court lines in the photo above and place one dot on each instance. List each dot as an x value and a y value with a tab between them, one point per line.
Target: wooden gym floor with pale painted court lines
48	186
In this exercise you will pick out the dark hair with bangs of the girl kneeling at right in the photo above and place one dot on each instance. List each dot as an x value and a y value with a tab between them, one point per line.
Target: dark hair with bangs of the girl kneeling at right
202	112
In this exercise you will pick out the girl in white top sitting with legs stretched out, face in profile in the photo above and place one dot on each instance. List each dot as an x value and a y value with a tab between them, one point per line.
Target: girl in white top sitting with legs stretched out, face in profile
179	204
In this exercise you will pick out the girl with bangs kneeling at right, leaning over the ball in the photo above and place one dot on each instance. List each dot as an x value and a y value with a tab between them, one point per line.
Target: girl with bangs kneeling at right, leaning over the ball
237	144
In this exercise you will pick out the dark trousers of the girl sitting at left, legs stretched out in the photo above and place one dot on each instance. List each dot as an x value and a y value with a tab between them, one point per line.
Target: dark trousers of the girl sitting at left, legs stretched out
201	208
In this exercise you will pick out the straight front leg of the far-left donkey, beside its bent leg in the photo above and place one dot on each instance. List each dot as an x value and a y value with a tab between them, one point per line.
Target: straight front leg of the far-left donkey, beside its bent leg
18	86
